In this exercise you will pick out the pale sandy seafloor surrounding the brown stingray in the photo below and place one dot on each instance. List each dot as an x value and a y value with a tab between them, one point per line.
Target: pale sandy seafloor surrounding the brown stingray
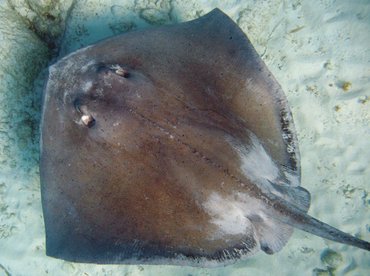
318	50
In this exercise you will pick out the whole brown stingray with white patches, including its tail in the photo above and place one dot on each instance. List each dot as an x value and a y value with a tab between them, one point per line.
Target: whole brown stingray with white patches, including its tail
171	145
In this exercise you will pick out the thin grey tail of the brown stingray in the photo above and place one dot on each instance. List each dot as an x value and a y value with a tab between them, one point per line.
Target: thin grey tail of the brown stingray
299	219
